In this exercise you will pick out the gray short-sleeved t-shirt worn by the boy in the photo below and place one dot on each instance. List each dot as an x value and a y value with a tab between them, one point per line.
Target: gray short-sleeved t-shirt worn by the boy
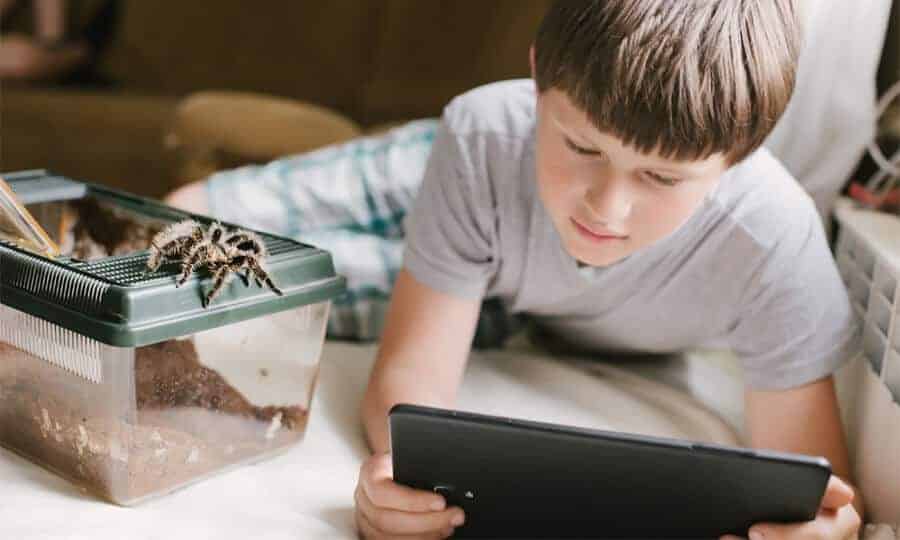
749	270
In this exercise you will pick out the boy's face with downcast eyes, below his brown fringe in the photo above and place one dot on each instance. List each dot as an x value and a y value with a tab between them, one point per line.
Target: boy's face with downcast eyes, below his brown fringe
608	200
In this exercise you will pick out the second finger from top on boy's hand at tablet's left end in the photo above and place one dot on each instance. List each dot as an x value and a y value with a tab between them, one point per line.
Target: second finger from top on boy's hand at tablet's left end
394	522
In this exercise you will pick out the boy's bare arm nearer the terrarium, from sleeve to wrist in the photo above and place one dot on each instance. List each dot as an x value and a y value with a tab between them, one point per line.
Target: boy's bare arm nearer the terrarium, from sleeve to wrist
422	355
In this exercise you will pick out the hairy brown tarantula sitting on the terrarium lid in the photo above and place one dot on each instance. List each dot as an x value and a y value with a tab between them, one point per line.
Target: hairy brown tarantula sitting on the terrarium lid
224	252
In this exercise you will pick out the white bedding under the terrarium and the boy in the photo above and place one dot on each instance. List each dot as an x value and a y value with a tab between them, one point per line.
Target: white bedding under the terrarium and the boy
307	492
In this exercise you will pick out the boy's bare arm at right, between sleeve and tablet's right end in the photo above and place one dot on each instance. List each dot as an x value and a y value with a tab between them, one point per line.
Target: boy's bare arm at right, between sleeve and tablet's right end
812	426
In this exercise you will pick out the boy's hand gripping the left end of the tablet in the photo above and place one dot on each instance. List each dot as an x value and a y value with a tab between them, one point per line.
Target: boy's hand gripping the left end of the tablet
385	509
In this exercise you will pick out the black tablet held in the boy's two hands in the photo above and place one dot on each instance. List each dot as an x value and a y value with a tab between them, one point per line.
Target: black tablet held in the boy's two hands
522	479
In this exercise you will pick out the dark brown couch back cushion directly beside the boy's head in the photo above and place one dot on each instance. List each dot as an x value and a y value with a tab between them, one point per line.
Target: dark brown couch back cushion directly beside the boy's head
429	52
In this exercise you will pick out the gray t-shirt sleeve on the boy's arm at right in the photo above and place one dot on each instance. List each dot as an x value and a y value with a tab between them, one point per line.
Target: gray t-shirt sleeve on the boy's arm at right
796	324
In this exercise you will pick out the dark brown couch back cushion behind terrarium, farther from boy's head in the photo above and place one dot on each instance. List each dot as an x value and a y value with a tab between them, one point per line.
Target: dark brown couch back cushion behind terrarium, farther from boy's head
315	51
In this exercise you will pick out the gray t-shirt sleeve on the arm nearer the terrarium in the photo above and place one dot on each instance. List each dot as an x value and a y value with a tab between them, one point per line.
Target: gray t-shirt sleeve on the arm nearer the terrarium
450	231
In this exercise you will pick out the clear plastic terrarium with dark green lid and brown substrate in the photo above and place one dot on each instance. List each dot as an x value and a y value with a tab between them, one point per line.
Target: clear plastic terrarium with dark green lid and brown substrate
127	385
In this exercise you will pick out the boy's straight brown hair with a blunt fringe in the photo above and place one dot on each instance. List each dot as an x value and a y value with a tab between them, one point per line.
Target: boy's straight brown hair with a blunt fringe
686	78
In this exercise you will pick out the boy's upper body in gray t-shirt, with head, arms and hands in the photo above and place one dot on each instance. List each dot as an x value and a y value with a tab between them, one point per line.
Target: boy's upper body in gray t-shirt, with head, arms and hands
622	201
